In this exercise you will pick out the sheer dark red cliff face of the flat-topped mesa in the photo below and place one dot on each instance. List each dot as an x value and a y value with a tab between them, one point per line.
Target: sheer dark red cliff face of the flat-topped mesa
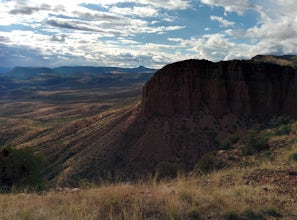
245	88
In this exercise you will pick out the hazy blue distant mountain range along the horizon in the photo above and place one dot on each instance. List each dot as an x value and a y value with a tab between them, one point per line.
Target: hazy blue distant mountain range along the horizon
77	76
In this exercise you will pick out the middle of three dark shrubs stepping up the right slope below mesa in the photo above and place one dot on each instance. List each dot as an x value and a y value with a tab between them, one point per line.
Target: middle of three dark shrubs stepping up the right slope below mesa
208	163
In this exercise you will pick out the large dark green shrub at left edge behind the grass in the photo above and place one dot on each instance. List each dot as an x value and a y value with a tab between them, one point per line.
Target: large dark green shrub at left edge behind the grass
20	168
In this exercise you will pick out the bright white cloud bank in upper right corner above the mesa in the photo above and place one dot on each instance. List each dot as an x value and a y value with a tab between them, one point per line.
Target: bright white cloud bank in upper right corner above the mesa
276	32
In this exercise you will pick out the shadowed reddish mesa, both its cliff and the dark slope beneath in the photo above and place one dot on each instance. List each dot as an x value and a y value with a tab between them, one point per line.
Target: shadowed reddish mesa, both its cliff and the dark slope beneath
186	109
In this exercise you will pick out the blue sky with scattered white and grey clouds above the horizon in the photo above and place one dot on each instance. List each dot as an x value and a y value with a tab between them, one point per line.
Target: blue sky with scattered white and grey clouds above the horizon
151	33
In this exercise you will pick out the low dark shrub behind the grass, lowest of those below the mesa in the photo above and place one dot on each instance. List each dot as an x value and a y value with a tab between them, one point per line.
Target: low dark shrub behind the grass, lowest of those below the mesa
168	170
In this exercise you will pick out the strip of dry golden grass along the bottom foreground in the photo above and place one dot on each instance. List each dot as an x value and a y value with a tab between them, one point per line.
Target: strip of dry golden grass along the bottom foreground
191	198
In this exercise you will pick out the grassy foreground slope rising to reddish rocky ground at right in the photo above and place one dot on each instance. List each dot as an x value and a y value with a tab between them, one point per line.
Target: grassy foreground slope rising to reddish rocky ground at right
261	185
